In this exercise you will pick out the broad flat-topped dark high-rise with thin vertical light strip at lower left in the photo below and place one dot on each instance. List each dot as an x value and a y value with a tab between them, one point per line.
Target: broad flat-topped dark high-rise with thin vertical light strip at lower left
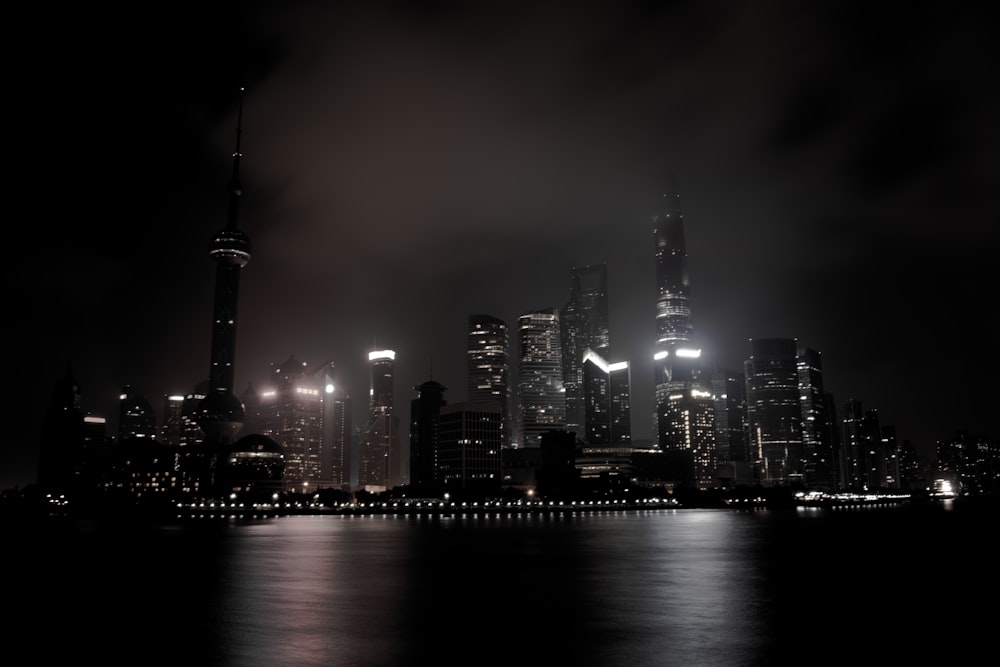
774	411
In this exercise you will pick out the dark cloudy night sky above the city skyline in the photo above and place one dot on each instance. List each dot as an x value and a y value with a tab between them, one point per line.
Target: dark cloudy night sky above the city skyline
408	164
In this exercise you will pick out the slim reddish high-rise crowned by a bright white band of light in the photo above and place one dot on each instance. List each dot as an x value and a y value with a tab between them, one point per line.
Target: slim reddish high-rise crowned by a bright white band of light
380	465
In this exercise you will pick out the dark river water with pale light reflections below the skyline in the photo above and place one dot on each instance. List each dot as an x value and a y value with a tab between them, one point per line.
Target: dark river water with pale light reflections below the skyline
906	585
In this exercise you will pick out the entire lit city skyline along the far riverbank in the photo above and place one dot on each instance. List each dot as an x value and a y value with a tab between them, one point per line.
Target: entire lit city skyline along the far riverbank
548	412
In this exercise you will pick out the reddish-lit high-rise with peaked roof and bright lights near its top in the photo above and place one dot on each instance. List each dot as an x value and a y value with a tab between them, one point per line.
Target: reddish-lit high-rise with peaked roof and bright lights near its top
291	413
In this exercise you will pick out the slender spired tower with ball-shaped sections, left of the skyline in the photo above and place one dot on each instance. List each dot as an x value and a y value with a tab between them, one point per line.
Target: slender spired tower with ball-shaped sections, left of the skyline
220	413
